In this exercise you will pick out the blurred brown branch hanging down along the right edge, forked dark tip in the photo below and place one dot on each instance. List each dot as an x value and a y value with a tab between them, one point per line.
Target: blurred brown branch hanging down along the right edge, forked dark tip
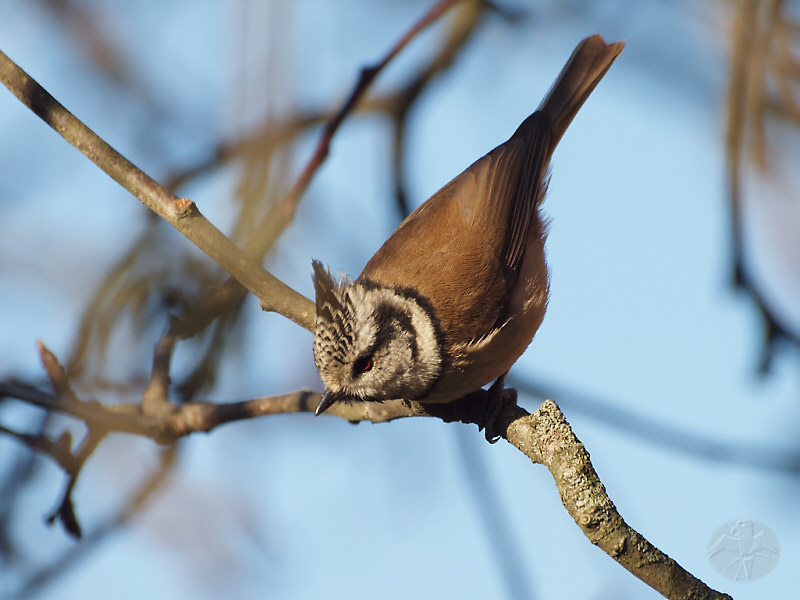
764	91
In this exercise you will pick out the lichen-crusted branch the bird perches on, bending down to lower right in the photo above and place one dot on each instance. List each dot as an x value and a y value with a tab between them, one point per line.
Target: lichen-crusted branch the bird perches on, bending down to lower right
543	436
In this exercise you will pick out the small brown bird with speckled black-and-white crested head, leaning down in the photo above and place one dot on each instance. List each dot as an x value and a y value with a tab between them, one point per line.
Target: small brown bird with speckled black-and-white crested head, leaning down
455	295
